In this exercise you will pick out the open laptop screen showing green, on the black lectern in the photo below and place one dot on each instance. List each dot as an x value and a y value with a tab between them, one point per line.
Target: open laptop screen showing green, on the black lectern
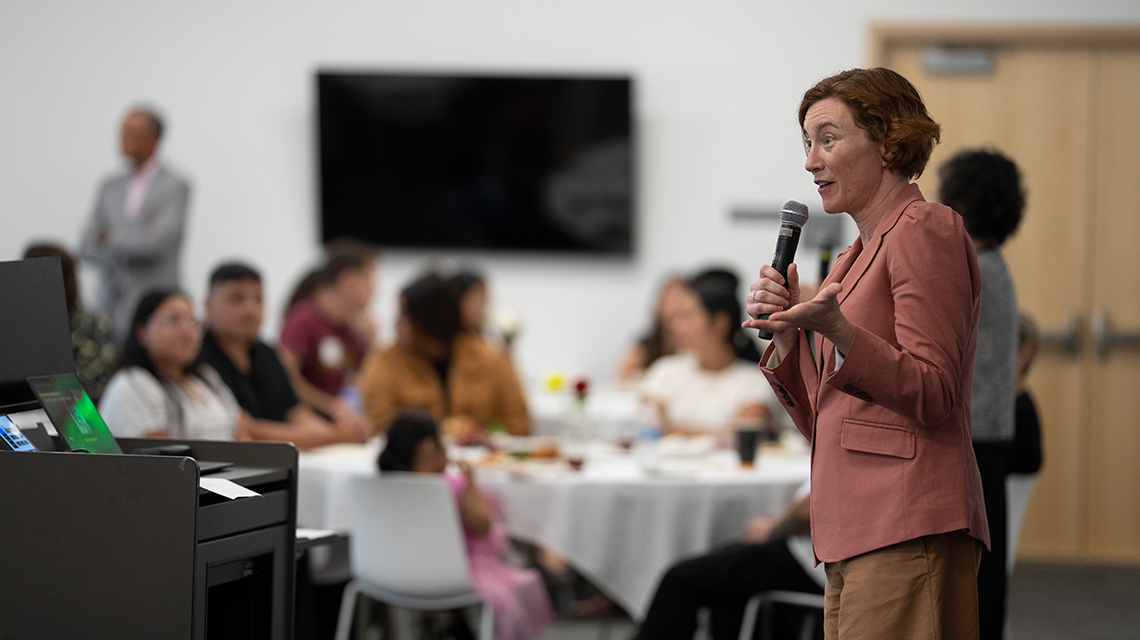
74	414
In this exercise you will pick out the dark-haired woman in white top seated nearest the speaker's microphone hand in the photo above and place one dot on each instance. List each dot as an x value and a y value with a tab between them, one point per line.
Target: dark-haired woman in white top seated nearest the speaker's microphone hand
714	382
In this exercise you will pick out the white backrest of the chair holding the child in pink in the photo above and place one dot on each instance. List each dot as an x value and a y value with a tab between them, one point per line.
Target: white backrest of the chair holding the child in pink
406	536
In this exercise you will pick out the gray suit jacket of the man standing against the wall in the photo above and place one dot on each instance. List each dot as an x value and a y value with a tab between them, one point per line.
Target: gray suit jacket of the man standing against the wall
140	255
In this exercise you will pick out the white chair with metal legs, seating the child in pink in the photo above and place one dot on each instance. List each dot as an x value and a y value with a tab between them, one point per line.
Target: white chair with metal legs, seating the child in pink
408	549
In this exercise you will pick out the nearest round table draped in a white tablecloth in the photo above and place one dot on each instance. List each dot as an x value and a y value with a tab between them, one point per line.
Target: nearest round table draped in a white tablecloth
617	524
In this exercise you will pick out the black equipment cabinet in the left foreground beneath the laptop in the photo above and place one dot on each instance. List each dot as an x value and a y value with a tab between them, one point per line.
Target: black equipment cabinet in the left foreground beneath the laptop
132	547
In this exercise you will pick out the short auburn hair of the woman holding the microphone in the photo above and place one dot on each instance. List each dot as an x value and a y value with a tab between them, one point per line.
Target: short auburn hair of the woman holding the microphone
890	109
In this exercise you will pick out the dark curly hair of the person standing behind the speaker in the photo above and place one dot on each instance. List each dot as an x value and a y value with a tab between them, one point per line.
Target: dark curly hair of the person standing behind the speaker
986	189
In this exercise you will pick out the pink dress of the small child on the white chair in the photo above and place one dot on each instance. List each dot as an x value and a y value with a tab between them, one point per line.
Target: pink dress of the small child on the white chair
517	596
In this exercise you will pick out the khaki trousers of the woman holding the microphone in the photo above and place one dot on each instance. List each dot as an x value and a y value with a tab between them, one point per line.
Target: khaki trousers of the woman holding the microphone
924	589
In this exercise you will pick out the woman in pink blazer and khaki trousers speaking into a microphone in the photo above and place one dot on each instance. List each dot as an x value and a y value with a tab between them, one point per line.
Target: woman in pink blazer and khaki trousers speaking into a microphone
876	371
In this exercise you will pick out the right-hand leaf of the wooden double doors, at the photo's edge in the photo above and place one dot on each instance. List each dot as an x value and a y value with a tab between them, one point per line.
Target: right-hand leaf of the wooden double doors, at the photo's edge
1114	416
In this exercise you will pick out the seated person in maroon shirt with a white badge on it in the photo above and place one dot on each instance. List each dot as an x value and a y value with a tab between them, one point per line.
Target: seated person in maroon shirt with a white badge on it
327	334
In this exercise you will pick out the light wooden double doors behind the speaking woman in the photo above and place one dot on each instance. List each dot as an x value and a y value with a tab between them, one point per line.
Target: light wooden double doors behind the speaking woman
1052	104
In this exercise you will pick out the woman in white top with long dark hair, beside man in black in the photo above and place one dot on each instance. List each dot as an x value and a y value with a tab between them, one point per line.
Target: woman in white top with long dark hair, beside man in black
161	390
